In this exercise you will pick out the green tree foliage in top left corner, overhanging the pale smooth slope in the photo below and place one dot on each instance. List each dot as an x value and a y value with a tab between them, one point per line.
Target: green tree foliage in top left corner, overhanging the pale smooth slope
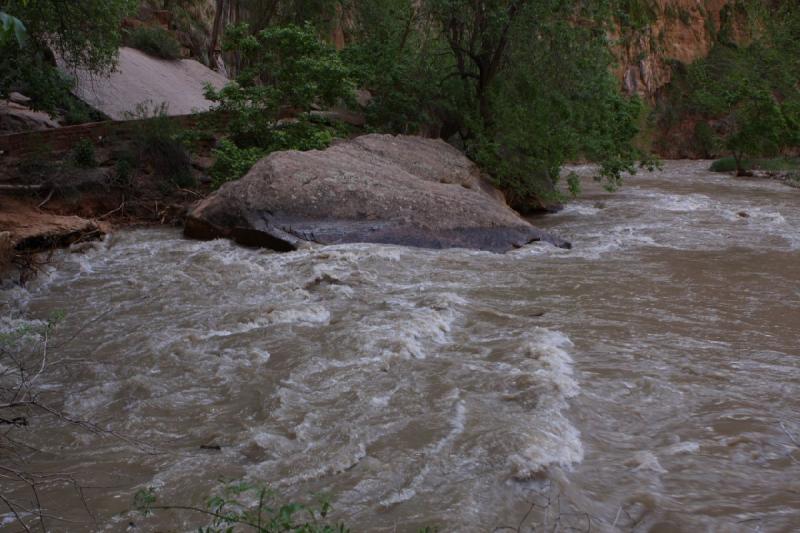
83	34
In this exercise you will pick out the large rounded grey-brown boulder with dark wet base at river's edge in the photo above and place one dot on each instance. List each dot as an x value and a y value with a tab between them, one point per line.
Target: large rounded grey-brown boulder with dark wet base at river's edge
375	188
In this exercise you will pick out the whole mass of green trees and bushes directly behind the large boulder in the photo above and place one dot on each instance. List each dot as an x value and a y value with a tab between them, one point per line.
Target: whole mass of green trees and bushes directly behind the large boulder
517	85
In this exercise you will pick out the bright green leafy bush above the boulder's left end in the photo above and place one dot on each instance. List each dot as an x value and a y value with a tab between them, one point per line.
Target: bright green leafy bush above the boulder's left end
288	70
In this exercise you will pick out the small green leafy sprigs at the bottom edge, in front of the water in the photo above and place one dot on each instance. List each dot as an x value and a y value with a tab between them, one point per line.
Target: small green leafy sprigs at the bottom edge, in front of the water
232	509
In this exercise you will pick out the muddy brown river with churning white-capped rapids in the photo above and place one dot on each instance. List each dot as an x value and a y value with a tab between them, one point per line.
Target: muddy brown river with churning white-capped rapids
646	380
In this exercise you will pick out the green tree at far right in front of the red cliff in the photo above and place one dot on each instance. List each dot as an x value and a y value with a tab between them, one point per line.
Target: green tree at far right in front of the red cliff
744	96
